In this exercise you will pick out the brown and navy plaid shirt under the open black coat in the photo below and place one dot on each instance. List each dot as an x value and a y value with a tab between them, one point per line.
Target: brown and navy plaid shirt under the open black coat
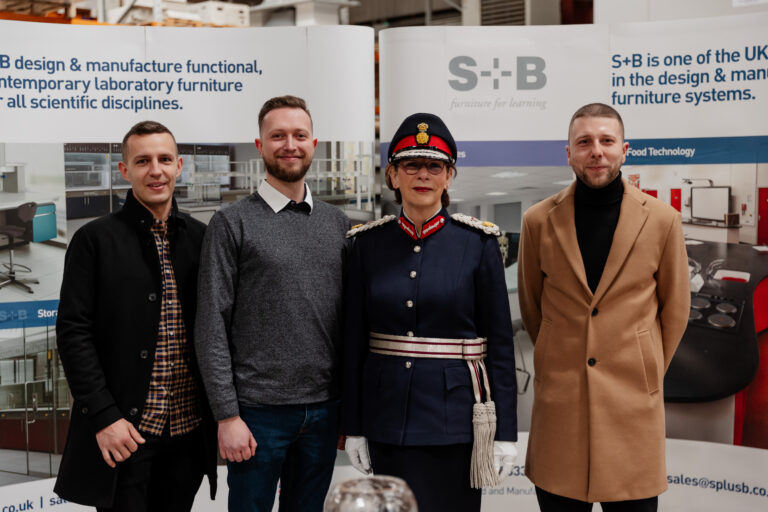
172	390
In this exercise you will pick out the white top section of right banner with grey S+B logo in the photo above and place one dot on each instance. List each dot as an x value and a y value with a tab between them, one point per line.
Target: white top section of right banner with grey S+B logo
695	79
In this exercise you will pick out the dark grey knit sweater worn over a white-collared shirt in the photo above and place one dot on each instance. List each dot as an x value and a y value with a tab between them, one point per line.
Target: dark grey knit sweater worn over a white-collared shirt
268	322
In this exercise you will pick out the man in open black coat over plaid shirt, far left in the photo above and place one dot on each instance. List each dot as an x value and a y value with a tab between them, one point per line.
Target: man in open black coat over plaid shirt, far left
141	433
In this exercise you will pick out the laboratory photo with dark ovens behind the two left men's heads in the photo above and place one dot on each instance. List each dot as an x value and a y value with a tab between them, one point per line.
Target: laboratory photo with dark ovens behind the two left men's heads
214	176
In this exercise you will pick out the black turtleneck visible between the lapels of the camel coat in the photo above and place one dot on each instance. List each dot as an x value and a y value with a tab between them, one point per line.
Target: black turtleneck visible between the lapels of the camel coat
597	214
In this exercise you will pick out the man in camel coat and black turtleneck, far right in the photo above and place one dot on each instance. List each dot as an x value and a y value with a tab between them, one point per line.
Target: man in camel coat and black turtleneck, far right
603	287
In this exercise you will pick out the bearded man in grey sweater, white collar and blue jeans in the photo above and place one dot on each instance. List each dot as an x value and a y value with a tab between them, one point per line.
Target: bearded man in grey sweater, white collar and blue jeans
268	324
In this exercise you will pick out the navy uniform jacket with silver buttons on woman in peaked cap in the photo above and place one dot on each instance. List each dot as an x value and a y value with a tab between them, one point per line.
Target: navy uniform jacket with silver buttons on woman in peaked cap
454	279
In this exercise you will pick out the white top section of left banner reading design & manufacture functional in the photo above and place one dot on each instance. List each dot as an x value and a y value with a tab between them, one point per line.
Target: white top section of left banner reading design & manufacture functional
88	83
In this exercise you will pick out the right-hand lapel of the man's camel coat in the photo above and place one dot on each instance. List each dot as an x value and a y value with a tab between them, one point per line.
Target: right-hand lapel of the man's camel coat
631	220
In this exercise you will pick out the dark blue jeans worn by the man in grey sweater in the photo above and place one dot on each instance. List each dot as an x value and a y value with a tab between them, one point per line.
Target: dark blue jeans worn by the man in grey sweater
297	445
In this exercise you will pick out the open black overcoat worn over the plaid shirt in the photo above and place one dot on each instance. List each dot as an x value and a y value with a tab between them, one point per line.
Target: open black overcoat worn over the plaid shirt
106	332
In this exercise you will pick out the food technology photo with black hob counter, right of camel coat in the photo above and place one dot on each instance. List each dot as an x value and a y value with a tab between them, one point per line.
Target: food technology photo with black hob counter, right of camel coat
723	208
